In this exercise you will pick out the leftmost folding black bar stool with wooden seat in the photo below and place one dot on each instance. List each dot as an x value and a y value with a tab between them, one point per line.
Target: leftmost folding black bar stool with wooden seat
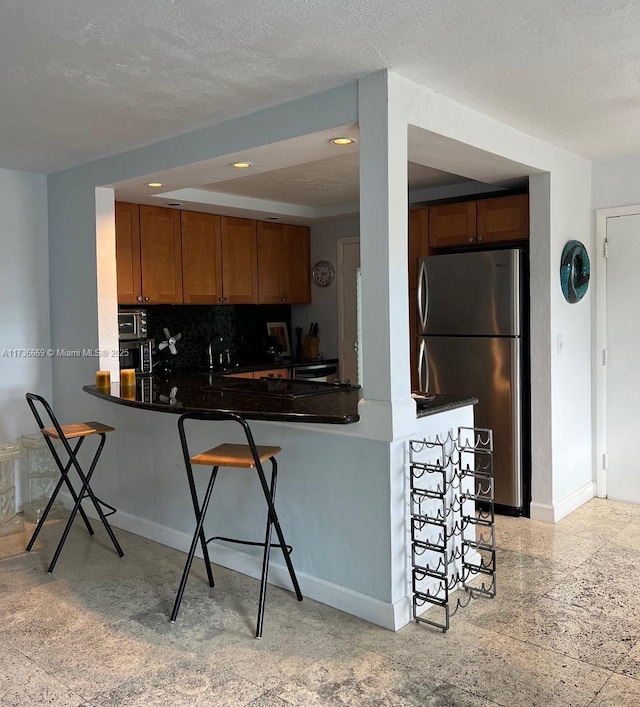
64	433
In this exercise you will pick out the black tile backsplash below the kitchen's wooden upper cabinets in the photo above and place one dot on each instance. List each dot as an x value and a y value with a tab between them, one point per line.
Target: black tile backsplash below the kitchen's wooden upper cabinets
242	329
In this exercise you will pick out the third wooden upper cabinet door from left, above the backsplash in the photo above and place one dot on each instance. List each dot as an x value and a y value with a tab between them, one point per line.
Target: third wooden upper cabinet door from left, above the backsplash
201	258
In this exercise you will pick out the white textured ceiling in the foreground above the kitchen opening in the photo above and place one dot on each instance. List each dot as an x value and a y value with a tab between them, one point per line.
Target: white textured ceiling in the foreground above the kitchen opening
84	79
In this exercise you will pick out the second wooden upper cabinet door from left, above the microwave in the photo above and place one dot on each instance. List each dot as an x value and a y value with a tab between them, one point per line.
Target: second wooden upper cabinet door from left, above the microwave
160	255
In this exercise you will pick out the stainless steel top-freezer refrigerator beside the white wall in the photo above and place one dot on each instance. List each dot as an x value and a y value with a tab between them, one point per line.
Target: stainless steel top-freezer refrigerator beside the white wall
469	311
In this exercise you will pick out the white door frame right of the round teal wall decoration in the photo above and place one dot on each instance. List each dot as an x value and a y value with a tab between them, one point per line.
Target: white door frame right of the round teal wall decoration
599	370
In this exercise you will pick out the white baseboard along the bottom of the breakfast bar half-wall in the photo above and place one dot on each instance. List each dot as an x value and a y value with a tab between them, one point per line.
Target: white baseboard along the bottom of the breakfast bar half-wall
351	602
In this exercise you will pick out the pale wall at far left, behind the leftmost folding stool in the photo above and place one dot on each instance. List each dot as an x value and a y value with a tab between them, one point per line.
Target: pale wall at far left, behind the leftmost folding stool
24	298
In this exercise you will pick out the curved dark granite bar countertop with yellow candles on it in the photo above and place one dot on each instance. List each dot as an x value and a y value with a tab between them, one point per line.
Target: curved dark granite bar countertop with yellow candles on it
275	400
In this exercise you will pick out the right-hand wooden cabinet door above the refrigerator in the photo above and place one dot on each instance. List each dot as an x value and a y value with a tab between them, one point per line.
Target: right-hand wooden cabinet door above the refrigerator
503	219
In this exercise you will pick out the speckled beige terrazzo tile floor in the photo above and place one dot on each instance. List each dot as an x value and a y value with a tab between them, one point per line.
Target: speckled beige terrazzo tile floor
563	630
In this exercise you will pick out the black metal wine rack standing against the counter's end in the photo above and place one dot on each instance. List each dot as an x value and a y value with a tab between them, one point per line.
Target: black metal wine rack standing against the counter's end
453	558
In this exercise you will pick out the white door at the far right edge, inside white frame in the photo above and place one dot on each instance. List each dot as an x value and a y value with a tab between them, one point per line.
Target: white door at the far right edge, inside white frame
623	365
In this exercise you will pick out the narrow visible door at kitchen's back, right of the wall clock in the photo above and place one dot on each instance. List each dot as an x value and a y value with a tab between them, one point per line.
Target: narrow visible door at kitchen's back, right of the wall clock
348	264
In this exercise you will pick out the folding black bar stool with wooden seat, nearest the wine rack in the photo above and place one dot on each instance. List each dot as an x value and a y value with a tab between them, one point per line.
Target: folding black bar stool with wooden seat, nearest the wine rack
245	456
